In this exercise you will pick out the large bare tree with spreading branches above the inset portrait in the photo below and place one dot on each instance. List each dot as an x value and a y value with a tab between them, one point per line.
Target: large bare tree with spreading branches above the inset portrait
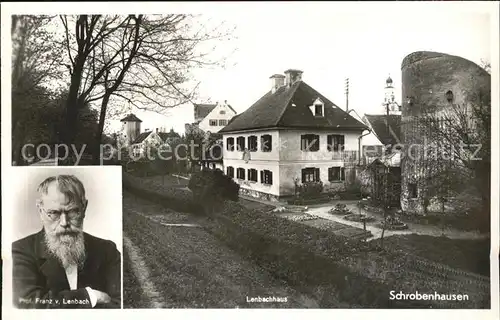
142	60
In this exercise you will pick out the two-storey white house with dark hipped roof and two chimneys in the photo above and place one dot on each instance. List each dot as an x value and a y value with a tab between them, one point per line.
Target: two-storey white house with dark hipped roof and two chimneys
292	134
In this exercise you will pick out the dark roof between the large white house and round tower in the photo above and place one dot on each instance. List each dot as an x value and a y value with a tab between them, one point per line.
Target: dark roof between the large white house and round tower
387	128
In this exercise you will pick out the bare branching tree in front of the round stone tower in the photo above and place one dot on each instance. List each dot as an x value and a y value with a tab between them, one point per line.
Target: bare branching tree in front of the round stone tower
461	135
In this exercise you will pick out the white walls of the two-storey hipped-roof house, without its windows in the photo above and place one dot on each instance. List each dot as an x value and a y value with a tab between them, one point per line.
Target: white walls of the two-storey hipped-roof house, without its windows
286	159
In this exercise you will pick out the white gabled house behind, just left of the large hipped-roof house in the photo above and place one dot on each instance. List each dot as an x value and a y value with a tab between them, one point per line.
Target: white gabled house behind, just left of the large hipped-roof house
212	117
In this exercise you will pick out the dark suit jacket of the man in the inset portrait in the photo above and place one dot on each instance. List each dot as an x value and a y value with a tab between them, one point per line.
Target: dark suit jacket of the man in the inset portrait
39	279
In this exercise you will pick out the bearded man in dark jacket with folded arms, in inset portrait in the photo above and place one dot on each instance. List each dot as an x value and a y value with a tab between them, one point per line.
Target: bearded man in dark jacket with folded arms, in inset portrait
62	266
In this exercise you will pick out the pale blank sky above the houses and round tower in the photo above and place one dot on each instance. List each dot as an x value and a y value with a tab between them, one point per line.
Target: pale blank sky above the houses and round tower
329	44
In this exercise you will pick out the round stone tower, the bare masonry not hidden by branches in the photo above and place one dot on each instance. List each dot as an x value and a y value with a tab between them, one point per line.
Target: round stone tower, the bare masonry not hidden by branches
431	83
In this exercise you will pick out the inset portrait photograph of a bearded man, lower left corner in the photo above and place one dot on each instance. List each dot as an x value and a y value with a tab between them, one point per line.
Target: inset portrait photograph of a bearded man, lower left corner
67	237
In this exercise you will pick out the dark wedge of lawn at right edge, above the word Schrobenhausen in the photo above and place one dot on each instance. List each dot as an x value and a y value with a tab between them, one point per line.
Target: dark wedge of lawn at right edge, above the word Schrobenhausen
467	255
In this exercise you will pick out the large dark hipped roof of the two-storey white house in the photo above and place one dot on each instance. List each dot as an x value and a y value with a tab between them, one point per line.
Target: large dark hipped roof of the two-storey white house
288	107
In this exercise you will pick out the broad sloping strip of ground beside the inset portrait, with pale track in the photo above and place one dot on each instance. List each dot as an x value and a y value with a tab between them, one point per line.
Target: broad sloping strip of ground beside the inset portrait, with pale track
172	262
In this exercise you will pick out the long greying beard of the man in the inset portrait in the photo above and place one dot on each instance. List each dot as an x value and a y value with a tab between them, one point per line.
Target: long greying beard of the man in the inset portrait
68	249
